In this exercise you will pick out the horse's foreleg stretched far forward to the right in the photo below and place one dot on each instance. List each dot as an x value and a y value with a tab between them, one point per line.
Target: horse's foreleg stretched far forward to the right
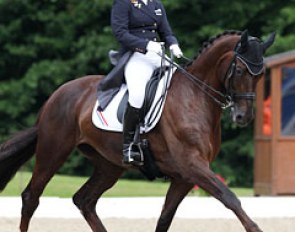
207	180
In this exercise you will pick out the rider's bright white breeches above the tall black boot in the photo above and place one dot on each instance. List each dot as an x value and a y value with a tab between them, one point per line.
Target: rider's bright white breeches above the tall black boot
138	72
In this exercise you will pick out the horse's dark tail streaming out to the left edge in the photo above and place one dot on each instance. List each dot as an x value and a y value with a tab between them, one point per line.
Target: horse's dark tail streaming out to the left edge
15	152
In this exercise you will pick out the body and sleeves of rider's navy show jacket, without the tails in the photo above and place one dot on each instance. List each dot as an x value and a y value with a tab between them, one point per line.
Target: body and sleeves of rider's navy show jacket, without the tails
134	24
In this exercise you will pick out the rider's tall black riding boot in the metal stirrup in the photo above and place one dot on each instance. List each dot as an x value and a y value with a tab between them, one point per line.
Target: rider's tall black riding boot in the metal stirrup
132	153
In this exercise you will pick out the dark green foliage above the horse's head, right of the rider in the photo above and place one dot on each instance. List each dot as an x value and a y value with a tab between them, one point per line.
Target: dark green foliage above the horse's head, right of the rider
202	19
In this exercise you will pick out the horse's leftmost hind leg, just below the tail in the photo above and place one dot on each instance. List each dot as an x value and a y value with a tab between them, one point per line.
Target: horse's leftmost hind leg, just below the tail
50	155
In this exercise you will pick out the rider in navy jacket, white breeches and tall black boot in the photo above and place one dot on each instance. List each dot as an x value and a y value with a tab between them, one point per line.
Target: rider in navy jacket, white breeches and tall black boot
138	25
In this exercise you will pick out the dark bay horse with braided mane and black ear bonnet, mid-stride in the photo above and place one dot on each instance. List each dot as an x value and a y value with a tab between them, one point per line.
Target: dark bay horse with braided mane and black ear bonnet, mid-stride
184	143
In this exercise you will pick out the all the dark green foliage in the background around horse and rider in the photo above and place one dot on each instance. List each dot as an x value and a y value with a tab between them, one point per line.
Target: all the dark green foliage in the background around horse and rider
45	43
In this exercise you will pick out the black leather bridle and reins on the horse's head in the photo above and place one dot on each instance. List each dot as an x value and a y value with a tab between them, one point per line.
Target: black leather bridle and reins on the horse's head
227	99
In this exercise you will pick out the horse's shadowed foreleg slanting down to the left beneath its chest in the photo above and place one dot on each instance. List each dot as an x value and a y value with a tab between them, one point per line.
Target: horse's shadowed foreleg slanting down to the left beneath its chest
177	191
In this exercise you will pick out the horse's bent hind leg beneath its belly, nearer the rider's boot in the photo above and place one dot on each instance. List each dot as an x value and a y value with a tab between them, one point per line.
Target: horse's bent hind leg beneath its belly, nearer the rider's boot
105	175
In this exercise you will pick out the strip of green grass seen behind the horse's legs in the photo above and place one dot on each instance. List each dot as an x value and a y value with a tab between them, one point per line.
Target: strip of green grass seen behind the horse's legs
66	186
